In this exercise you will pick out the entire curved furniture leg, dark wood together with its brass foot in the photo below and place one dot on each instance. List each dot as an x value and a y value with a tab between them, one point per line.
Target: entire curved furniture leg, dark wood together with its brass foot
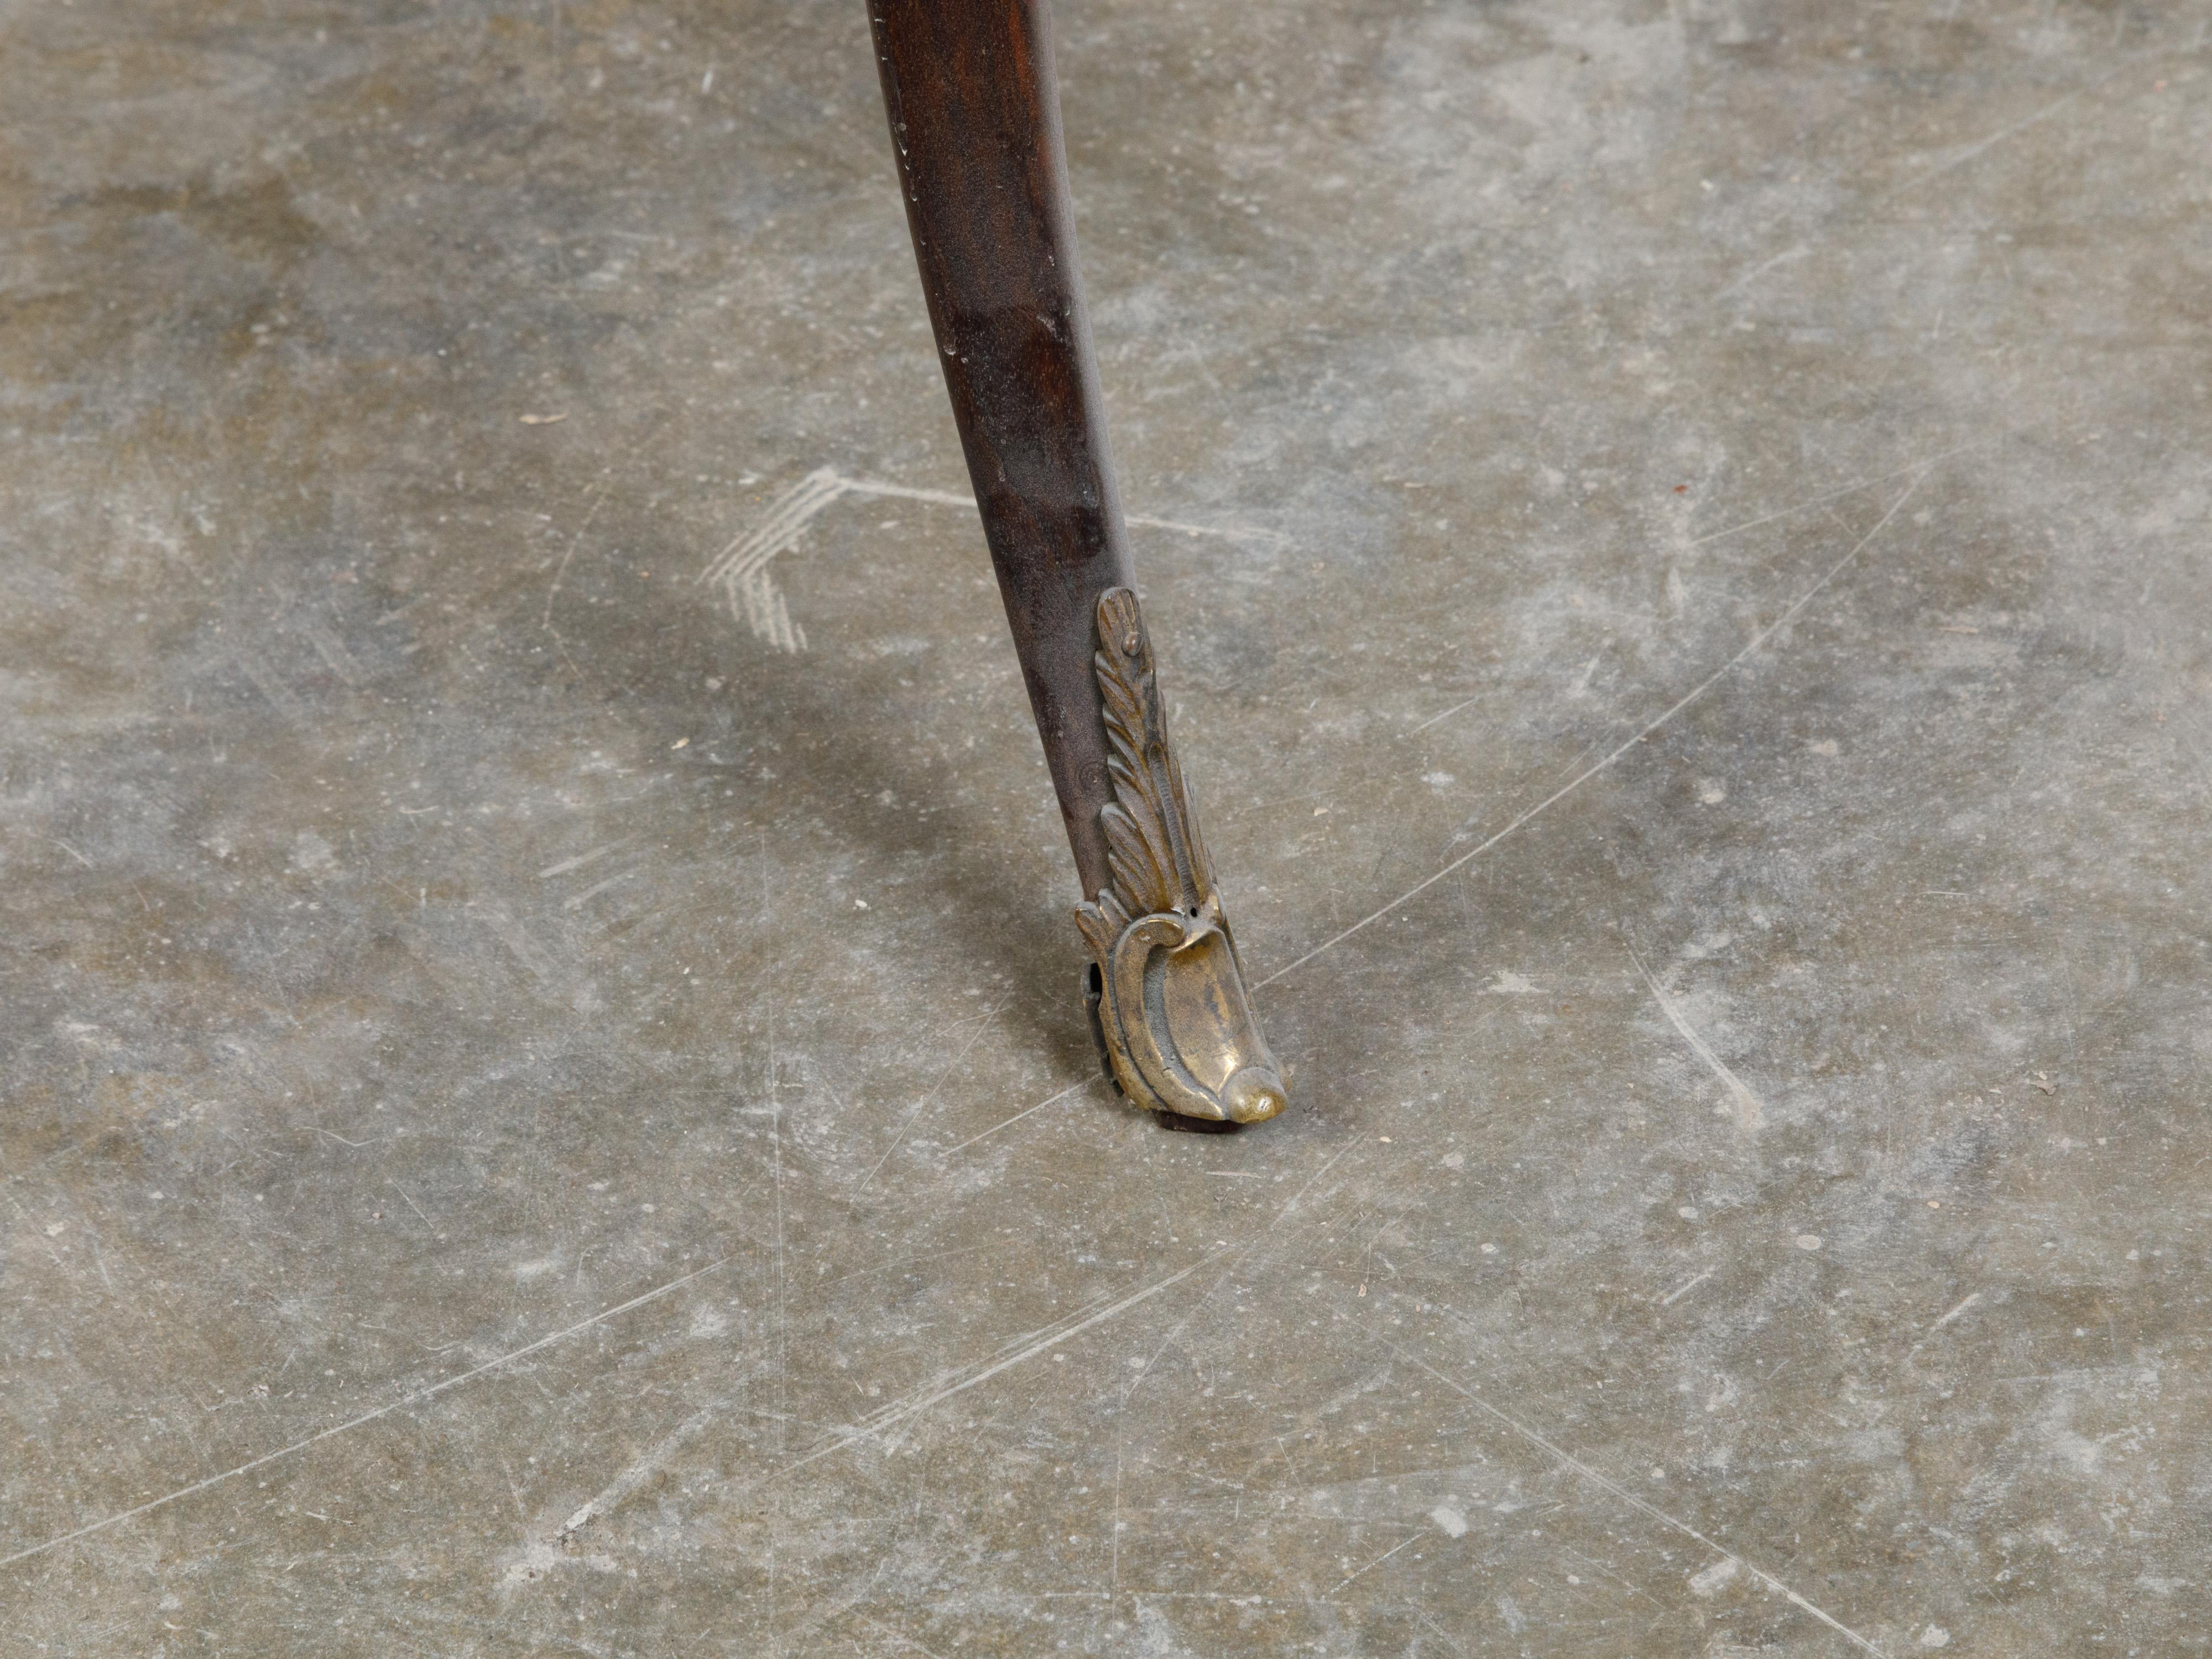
977	129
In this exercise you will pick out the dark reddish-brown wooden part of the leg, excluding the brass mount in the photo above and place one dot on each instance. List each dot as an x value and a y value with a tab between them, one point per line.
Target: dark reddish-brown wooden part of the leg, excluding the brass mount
981	163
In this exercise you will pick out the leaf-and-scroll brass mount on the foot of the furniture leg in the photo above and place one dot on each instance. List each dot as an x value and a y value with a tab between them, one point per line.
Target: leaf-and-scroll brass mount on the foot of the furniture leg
1167	990
